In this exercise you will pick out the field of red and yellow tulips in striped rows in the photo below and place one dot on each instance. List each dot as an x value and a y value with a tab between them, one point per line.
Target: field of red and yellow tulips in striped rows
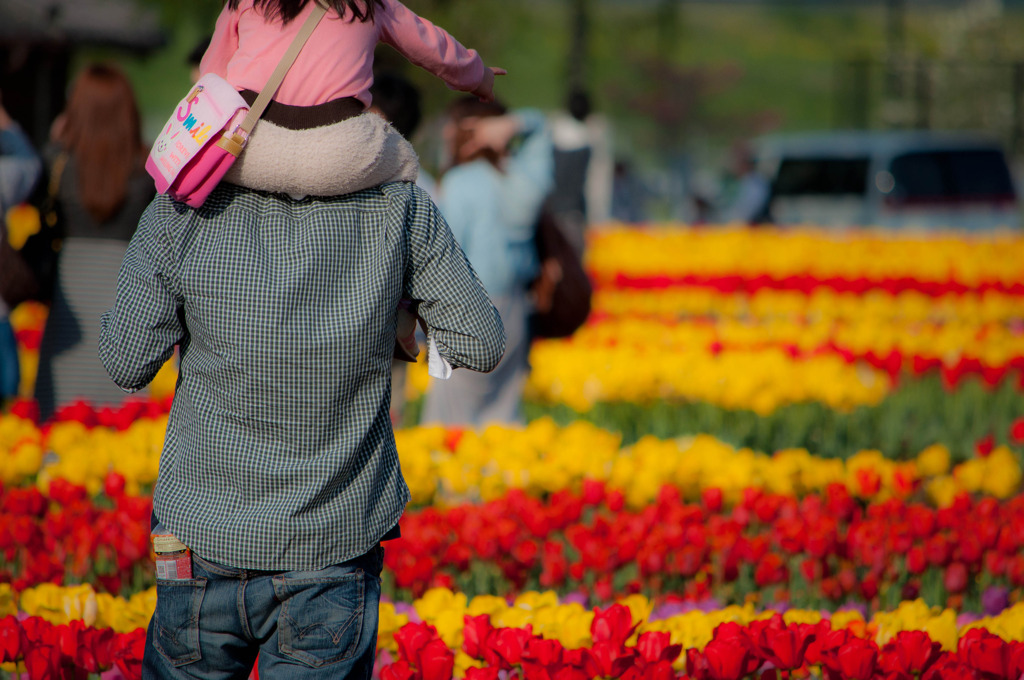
770	454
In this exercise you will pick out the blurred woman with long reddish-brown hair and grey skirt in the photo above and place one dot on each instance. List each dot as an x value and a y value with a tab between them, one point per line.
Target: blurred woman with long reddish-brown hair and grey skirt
98	159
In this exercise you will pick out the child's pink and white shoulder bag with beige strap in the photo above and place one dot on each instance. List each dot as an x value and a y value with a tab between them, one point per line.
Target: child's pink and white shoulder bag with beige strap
210	127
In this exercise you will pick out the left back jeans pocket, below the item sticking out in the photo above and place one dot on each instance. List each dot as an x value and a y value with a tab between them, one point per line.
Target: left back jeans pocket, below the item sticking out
177	619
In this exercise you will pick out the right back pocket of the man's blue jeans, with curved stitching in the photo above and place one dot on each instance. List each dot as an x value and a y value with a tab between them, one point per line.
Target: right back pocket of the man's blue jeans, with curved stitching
321	618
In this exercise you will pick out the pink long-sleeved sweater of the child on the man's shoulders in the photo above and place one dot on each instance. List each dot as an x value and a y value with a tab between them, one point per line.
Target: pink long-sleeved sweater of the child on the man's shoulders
337	62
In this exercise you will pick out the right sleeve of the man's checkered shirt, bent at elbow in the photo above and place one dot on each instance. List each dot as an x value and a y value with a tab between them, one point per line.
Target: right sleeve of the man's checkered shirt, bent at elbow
461	321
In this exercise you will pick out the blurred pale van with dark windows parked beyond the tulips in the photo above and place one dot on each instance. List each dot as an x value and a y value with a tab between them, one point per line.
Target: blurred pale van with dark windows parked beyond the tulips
891	180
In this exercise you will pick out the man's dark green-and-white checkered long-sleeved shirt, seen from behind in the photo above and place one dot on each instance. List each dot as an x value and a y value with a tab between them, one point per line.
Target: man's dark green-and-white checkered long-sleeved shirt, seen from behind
280	453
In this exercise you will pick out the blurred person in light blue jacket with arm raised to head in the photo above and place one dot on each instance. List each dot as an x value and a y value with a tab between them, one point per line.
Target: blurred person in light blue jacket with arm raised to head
502	173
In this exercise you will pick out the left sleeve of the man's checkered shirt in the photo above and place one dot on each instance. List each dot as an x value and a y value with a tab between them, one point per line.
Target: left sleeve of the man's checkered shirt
139	334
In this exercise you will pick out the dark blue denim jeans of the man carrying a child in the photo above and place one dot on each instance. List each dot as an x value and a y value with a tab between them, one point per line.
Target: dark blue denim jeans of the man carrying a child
320	624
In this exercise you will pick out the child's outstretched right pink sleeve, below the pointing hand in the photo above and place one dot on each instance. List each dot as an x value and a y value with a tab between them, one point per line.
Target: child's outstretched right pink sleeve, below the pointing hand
431	48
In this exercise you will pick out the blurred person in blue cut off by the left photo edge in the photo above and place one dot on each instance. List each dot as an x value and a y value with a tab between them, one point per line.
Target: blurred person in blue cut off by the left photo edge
20	171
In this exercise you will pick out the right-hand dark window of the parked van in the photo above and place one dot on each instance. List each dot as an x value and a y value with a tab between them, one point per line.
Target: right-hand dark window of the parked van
957	176
